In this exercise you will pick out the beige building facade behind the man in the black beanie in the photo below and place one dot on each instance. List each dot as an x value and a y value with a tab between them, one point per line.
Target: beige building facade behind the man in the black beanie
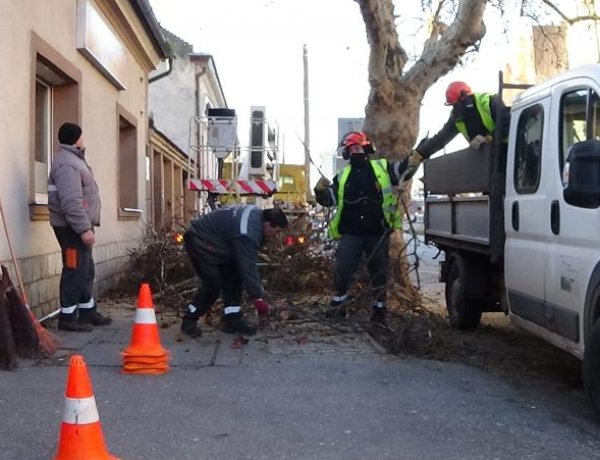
88	62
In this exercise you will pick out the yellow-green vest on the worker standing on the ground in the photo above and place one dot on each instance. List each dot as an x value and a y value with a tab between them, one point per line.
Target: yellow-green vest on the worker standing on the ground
389	205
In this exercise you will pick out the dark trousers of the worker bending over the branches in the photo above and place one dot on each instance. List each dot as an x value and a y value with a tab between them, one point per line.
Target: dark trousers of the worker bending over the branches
215	280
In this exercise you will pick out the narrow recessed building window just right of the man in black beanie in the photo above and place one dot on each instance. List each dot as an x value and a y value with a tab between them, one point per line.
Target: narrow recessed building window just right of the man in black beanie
128	174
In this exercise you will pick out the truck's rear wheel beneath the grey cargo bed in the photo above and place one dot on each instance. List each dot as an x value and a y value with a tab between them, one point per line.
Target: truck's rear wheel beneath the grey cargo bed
464	313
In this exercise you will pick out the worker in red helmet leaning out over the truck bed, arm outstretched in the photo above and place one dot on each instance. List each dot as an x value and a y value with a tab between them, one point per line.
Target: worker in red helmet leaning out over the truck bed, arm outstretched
473	115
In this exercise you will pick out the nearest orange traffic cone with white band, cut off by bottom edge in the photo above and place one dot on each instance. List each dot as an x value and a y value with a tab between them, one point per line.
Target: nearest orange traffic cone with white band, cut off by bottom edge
81	432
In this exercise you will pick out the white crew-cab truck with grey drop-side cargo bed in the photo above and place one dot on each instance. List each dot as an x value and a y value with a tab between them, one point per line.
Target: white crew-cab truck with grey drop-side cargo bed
519	221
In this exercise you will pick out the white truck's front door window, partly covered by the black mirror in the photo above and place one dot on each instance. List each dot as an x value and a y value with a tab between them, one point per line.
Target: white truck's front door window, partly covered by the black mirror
580	121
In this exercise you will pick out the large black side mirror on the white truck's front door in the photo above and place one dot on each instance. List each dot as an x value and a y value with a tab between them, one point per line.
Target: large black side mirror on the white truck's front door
583	189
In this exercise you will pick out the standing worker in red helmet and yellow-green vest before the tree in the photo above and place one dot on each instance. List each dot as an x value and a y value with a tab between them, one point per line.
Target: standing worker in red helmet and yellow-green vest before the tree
367	212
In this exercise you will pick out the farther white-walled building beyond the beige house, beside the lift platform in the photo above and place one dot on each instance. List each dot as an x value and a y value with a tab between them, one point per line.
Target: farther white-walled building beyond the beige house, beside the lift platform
178	110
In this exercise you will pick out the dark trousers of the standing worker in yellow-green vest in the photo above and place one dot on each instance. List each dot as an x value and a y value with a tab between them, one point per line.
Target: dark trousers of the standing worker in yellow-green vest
349	254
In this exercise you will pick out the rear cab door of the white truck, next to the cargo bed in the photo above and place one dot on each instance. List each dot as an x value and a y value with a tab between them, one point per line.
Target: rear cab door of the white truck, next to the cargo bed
527	229
